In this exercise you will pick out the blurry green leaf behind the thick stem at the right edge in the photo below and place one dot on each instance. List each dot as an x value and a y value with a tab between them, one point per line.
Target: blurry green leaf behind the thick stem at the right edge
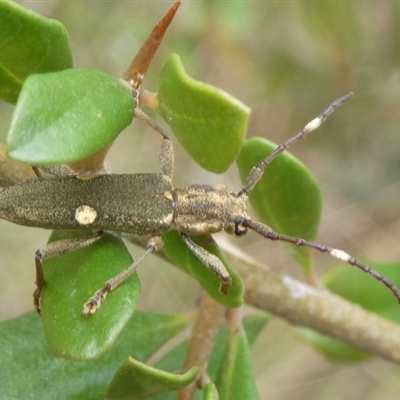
360	288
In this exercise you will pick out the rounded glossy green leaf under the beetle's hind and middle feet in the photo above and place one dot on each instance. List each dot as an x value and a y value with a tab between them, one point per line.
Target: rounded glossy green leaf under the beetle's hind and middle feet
71	280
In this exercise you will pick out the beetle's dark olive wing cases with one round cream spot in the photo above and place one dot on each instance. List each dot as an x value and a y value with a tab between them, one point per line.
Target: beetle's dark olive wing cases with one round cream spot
124	203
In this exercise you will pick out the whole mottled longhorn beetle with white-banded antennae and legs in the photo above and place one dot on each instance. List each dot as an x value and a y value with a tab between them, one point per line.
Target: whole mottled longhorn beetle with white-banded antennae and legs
148	204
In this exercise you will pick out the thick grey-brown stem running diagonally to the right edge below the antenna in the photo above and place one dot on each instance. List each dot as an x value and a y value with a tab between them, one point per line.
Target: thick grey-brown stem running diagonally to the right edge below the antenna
318	309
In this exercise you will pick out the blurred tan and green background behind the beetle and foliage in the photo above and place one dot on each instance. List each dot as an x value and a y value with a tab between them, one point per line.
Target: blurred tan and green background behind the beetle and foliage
286	61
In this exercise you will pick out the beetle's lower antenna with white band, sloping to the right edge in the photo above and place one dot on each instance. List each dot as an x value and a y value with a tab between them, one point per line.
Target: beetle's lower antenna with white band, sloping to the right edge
266	232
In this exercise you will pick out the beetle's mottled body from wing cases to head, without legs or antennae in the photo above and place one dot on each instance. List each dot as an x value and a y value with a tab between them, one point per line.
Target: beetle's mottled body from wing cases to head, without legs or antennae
142	204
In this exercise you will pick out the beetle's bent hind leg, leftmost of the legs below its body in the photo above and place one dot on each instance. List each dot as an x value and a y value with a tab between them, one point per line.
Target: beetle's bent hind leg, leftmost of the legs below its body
56	249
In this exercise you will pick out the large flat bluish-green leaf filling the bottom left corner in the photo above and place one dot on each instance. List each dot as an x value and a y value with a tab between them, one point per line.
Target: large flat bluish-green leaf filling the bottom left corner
29	371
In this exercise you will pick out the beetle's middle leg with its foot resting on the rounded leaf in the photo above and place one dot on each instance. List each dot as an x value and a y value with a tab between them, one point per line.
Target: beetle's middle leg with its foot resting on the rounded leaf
91	306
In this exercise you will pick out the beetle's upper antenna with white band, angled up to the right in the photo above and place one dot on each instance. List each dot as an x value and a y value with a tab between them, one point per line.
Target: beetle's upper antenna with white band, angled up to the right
257	172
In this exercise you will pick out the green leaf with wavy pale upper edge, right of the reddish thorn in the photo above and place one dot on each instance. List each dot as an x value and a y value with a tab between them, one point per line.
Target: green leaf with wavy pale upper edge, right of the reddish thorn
209	123
